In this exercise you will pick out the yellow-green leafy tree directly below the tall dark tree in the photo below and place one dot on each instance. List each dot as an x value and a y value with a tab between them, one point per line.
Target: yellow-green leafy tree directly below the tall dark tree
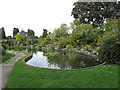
85	34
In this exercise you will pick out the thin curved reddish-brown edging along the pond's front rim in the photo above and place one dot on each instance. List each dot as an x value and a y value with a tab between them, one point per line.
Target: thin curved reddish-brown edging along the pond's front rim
29	57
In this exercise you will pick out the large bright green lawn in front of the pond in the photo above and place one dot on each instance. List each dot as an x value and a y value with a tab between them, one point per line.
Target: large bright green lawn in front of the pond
23	76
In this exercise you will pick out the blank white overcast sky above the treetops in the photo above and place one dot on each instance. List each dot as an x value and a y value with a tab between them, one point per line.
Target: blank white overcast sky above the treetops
35	14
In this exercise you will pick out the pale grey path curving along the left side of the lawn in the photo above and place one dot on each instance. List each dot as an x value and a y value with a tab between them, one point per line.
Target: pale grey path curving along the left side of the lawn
8	66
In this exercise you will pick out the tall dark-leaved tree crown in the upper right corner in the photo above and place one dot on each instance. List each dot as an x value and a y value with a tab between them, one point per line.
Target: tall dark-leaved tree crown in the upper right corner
95	12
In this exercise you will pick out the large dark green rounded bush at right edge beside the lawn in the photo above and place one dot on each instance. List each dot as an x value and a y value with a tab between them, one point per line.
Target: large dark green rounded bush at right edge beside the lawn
110	50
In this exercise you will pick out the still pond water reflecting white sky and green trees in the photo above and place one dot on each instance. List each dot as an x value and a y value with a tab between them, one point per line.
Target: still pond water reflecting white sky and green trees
61	61
